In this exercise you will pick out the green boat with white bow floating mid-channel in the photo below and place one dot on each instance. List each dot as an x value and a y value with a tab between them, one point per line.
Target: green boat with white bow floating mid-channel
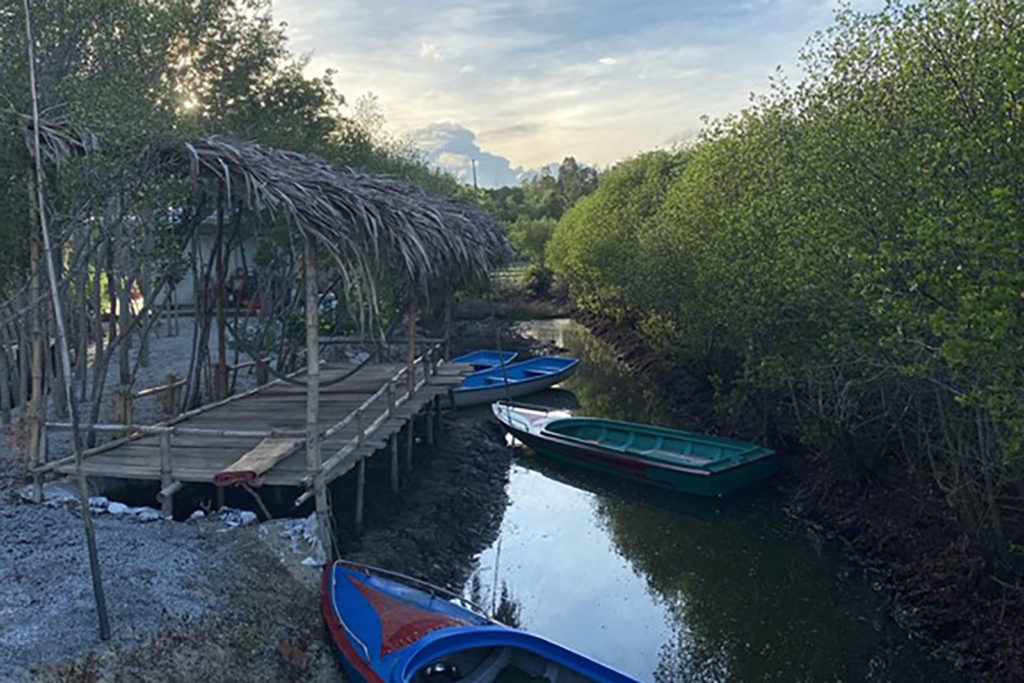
689	462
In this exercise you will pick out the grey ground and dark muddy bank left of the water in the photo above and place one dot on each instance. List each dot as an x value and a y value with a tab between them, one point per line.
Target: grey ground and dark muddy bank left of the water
203	600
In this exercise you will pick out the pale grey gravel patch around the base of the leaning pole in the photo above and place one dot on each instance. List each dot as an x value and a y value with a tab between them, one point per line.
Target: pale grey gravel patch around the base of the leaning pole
154	574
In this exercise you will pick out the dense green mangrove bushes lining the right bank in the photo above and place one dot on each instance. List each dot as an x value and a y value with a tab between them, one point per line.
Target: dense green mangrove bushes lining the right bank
844	259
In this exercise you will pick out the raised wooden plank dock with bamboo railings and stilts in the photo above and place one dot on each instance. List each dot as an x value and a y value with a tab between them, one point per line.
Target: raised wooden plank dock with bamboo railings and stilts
259	438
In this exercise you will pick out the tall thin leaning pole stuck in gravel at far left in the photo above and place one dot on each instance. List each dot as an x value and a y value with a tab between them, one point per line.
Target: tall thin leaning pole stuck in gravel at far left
83	497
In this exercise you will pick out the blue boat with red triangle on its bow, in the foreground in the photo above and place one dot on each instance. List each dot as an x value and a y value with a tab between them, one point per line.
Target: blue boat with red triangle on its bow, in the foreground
389	632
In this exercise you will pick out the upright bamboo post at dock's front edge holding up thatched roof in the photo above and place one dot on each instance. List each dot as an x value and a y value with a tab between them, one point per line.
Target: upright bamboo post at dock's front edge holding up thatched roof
313	396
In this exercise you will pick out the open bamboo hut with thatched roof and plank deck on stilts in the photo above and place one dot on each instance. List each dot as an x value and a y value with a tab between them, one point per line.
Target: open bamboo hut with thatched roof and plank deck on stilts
315	304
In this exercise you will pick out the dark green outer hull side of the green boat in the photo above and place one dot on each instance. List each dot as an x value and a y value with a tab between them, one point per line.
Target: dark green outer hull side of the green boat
689	481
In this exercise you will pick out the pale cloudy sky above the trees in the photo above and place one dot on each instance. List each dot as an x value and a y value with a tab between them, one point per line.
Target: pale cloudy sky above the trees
519	84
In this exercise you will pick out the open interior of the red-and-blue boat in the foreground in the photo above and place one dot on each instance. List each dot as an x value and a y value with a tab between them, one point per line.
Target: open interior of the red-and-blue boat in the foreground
497	665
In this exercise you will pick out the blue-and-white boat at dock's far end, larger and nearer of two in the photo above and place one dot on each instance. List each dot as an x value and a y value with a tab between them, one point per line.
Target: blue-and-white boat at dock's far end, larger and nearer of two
515	380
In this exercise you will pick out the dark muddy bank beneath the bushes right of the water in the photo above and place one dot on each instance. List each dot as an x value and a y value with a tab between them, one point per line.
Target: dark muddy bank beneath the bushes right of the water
933	583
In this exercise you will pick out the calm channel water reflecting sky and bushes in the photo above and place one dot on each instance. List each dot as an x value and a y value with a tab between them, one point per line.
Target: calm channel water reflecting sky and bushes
671	588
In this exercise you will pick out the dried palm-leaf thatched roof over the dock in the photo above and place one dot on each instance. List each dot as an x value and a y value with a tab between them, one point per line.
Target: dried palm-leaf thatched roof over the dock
359	219
